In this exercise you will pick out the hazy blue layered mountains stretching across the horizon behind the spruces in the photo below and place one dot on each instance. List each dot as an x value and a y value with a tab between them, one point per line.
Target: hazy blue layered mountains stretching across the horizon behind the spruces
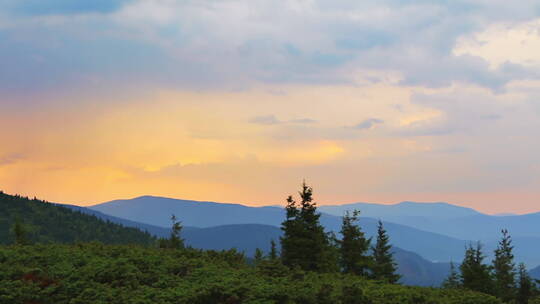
436	231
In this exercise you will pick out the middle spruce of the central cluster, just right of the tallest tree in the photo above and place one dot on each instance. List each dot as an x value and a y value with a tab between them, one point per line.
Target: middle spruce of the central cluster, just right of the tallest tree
354	246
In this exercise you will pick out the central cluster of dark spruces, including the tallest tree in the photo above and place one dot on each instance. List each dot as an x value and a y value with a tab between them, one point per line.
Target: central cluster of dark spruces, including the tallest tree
306	245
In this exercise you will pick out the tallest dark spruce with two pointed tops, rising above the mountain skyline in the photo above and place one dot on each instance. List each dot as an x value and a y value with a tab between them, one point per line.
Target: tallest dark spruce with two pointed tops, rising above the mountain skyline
304	242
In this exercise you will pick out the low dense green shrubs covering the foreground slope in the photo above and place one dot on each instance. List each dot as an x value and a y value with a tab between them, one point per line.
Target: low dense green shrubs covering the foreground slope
97	273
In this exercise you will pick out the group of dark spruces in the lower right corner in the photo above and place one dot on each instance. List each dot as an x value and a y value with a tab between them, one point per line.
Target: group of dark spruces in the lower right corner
502	278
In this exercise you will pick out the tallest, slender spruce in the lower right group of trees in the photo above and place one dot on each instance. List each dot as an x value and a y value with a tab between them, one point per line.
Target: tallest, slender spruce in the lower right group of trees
504	269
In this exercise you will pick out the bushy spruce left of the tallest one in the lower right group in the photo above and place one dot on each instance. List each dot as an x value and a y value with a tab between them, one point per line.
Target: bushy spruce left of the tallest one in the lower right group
475	275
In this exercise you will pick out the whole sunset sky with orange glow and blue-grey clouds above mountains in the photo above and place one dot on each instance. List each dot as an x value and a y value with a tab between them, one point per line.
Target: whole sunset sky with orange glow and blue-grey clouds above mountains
240	100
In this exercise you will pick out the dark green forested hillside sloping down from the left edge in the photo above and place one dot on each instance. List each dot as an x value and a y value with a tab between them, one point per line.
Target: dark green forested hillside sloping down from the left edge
50	223
